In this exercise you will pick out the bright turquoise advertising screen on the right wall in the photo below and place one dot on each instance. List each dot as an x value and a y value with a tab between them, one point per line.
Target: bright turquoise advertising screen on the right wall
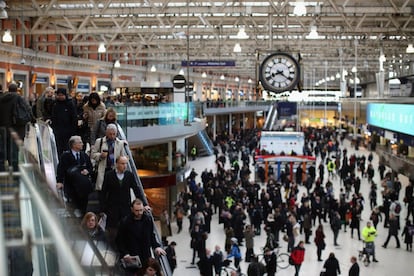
395	117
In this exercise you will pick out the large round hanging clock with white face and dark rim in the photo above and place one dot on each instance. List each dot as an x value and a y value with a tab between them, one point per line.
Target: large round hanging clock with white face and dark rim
279	72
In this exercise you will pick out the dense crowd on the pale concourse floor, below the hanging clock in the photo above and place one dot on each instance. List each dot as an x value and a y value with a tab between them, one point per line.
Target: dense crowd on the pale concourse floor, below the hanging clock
247	207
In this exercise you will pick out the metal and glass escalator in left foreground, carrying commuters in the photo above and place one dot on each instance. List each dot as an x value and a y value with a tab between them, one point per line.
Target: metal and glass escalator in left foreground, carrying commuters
30	201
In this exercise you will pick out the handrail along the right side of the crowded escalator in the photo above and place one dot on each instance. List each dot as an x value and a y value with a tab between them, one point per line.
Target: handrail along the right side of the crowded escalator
131	166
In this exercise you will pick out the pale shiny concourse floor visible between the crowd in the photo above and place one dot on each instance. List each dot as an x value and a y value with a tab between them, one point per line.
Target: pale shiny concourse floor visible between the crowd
392	261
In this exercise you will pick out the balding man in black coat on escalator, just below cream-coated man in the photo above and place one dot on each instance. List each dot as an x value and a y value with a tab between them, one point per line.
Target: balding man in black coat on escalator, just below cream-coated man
115	196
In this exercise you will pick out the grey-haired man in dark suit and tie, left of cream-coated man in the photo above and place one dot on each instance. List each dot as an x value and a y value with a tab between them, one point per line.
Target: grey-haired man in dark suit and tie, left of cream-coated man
73	175
